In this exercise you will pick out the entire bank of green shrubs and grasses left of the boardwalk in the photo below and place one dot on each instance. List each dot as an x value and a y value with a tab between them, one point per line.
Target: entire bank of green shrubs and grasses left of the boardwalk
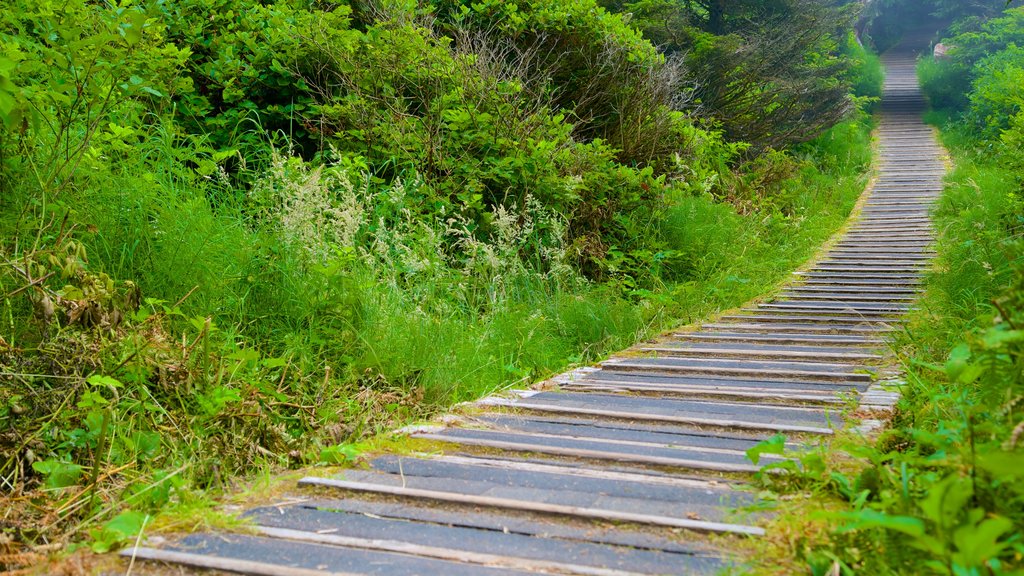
245	236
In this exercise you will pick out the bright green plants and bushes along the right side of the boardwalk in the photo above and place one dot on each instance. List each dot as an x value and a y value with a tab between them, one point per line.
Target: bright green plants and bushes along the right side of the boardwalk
943	490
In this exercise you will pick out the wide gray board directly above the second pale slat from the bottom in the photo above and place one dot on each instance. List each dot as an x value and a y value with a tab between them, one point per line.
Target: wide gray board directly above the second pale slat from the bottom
534	547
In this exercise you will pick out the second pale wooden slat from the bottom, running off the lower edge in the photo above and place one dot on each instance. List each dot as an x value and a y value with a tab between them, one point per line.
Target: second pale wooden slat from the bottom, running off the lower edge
451	555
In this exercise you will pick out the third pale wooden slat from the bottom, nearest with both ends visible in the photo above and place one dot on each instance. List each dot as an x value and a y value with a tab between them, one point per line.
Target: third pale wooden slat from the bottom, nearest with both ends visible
540	508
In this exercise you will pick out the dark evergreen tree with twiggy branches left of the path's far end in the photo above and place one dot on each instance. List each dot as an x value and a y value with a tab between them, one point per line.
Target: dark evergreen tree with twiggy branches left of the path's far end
771	74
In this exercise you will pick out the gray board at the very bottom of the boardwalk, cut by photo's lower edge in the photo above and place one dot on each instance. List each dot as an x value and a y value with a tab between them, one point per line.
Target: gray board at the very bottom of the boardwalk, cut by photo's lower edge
321	557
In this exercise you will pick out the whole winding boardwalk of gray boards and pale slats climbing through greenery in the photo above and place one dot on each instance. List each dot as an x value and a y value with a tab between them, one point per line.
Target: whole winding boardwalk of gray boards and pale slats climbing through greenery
628	468
